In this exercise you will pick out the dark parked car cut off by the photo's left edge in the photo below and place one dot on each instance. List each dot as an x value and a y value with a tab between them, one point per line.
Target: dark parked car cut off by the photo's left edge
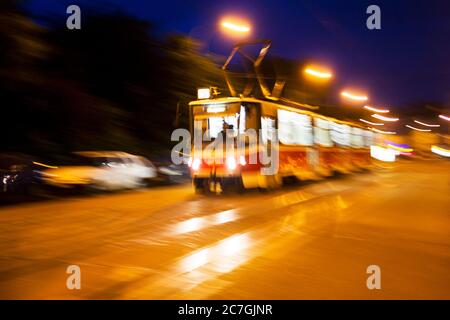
19	174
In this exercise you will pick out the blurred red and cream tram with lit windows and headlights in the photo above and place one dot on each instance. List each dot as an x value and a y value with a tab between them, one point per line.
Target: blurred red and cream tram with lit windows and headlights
306	143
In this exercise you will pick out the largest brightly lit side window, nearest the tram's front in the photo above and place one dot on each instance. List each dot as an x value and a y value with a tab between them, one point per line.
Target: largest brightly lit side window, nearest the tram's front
294	128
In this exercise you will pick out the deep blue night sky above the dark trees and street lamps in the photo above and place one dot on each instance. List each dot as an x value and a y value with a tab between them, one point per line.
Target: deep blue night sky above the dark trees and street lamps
407	61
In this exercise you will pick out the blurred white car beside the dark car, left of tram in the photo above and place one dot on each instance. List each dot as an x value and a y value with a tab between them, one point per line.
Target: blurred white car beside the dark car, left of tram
102	170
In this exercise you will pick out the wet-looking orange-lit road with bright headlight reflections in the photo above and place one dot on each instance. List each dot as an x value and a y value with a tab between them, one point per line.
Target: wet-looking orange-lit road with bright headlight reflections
313	241
